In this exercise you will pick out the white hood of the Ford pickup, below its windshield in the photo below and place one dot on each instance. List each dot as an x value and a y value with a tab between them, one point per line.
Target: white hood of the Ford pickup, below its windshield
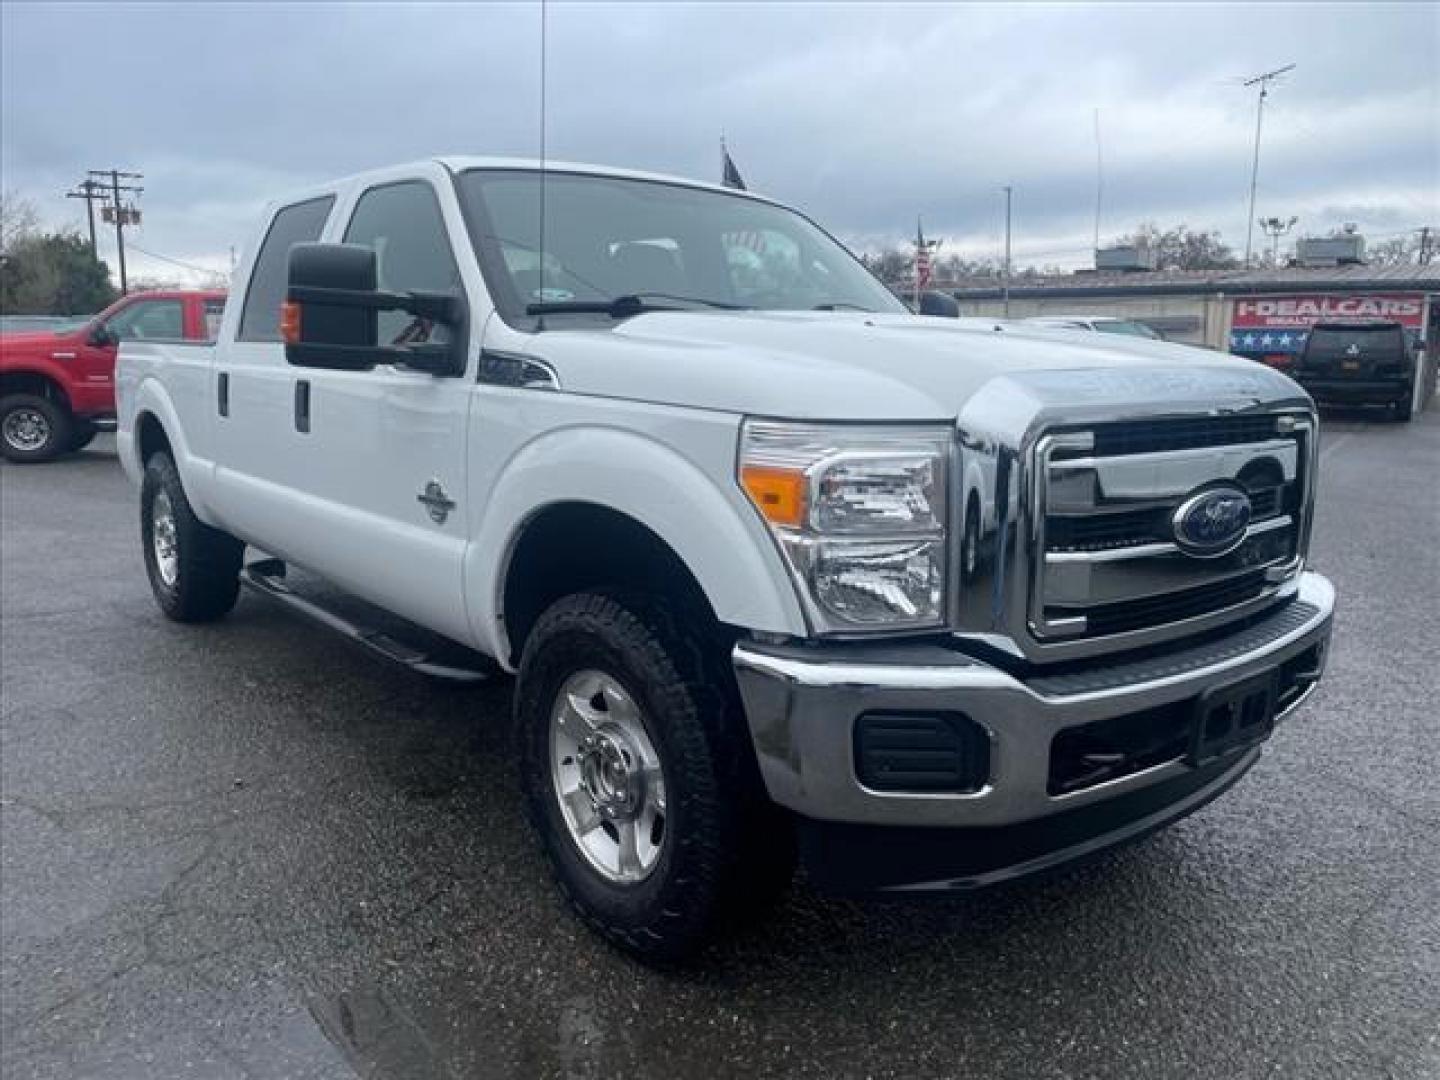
888	366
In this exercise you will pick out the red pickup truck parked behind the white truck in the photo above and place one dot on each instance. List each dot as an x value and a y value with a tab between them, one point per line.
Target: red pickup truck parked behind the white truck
58	390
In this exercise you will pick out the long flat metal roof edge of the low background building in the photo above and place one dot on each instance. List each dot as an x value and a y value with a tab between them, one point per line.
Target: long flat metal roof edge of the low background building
1232	282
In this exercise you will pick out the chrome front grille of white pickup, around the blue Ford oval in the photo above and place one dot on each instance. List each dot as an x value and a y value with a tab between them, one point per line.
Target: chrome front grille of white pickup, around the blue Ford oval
1108	562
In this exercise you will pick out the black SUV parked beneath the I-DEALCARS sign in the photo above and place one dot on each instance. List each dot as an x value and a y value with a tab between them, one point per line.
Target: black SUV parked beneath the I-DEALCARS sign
1359	364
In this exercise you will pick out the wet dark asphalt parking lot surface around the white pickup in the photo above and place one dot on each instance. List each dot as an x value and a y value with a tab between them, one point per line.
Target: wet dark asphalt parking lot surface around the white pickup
246	850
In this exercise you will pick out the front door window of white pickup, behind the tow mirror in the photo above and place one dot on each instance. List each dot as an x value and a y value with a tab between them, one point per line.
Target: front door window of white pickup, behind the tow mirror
404	224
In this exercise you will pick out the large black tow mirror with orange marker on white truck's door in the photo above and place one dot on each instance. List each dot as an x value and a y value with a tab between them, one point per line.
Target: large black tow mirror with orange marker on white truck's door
330	316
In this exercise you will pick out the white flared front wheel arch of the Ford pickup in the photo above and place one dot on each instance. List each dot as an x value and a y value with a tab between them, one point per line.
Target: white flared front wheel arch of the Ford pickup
709	525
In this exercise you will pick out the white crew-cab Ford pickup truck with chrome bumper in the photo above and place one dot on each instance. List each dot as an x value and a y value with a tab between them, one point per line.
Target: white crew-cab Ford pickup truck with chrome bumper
783	571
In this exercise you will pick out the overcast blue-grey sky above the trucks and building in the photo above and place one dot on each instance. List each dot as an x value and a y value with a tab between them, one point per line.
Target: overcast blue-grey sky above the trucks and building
863	114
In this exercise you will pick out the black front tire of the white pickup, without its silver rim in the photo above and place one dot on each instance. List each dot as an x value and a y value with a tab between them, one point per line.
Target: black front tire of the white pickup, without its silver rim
728	850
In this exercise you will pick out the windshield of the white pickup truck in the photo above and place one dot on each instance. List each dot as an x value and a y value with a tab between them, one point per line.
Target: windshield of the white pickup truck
608	238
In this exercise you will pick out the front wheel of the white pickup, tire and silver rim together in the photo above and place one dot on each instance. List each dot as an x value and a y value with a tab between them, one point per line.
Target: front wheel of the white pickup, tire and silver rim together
639	774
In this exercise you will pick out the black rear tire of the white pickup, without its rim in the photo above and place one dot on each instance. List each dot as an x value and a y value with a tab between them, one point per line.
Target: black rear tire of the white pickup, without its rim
207	565
